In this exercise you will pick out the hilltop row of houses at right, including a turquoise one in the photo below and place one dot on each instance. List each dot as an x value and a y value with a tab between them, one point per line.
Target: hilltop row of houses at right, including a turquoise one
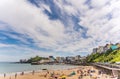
103	49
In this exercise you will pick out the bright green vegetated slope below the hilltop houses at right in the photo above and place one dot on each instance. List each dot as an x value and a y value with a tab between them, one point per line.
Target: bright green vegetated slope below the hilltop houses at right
109	56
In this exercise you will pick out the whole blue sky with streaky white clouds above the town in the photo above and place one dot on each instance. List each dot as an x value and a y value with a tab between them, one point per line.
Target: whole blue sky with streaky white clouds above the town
56	27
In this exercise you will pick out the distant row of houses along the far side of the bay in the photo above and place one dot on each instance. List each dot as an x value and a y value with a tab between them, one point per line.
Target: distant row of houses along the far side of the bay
63	60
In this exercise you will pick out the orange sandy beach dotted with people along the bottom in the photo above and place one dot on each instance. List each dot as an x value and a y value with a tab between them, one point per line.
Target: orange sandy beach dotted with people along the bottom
82	72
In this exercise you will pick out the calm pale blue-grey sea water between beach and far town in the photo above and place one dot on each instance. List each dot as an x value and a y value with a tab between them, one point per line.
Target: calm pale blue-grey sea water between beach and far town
16	67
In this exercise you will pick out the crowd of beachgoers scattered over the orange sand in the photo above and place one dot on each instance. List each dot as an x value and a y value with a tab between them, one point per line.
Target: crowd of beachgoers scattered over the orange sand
78	73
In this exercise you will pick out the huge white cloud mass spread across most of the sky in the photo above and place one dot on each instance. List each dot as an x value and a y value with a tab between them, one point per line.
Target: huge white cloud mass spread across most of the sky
101	22
